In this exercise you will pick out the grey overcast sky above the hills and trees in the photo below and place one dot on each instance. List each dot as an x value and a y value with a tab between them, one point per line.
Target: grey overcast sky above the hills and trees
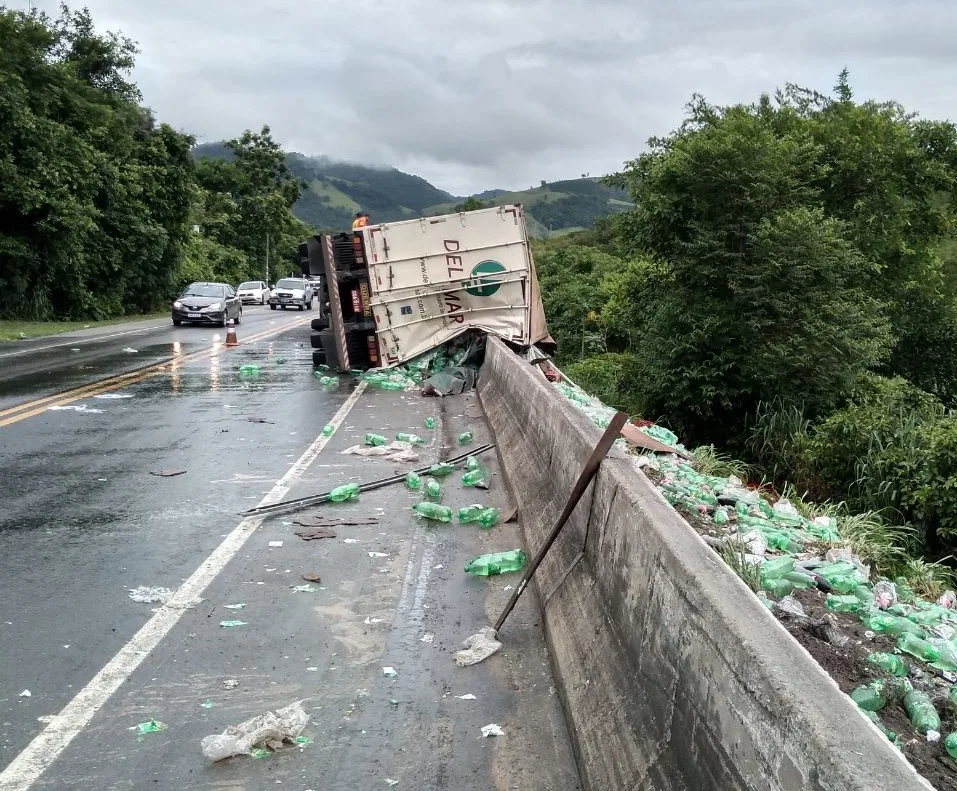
475	94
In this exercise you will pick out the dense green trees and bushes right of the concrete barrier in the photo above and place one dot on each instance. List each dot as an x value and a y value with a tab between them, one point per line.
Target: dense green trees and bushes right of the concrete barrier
784	293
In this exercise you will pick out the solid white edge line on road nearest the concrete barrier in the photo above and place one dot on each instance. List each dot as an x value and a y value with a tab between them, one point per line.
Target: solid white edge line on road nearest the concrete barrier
37	756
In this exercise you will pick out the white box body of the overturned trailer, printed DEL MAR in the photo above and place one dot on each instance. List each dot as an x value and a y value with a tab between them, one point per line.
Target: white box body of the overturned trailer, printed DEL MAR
433	278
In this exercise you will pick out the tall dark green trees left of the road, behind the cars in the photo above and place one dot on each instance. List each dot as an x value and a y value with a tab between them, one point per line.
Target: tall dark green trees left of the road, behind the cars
98	202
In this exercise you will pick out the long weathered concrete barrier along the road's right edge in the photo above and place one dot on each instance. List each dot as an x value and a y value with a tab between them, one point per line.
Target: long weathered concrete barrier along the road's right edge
671	672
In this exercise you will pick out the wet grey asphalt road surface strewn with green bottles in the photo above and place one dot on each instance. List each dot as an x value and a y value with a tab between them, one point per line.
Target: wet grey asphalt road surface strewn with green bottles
83	521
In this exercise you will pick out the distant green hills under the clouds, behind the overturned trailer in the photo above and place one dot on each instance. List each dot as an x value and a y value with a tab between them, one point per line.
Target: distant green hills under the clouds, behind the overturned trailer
334	191
